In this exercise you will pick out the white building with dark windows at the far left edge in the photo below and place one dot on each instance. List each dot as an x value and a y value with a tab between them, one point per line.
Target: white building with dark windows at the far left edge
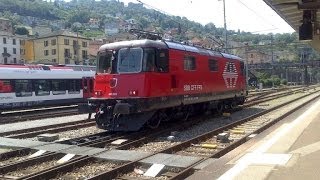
9	48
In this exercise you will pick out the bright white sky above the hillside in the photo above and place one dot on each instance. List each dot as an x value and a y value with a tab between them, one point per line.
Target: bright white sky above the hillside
247	15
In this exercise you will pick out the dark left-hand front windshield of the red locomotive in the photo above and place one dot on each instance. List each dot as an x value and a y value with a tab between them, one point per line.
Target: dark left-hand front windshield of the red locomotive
104	63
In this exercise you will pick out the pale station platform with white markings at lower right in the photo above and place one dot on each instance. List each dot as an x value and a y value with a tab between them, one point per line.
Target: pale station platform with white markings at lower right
288	150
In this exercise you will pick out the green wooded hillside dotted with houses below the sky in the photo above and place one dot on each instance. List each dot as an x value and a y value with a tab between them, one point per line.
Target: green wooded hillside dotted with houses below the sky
114	12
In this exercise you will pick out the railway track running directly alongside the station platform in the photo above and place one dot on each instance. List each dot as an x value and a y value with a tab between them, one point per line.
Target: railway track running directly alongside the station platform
228	146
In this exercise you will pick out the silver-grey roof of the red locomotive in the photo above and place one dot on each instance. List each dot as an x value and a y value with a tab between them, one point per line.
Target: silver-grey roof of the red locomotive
166	45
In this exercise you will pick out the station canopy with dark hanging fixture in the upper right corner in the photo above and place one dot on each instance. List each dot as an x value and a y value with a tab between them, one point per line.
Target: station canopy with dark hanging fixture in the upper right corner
302	16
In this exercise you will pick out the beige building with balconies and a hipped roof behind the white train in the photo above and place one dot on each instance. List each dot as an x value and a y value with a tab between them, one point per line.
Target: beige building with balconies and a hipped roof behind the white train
61	47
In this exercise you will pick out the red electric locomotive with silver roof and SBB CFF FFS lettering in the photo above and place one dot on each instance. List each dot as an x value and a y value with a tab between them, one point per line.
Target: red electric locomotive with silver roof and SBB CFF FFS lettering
144	82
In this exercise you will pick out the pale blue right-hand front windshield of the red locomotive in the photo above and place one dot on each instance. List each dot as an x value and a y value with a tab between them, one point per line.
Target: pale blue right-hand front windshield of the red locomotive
130	60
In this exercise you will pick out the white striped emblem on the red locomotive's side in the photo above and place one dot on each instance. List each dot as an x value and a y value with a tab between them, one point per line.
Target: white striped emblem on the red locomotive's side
230	75
